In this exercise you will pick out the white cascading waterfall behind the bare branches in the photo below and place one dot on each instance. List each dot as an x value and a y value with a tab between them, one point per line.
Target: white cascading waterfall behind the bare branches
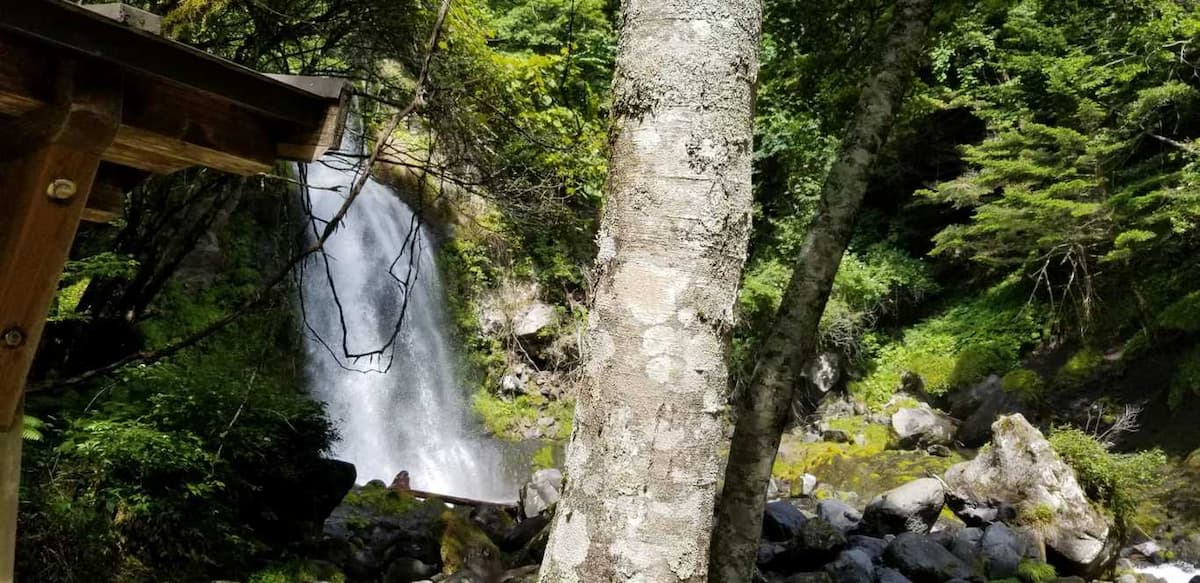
401	408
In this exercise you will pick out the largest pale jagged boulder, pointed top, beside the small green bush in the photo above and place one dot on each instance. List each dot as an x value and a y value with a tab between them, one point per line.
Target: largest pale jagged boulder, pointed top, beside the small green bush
1022	471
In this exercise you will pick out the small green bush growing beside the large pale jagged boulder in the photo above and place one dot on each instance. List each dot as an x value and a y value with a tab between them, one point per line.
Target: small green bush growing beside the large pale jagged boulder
1118	482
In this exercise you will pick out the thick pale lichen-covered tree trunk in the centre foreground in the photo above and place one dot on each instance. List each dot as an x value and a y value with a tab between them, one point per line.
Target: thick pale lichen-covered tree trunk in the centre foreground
646	453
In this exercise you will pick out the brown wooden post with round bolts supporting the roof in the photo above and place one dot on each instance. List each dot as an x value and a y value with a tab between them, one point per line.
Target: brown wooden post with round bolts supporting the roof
43	197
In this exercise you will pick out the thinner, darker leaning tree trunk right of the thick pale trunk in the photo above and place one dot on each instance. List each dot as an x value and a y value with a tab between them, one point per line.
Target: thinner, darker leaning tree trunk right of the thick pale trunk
791	342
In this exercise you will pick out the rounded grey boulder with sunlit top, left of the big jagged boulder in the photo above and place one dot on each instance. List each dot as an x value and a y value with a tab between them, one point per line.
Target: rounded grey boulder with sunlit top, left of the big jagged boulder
913	508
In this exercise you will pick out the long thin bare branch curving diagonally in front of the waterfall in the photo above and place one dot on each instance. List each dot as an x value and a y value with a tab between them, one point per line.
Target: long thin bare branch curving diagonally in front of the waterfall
262	293
